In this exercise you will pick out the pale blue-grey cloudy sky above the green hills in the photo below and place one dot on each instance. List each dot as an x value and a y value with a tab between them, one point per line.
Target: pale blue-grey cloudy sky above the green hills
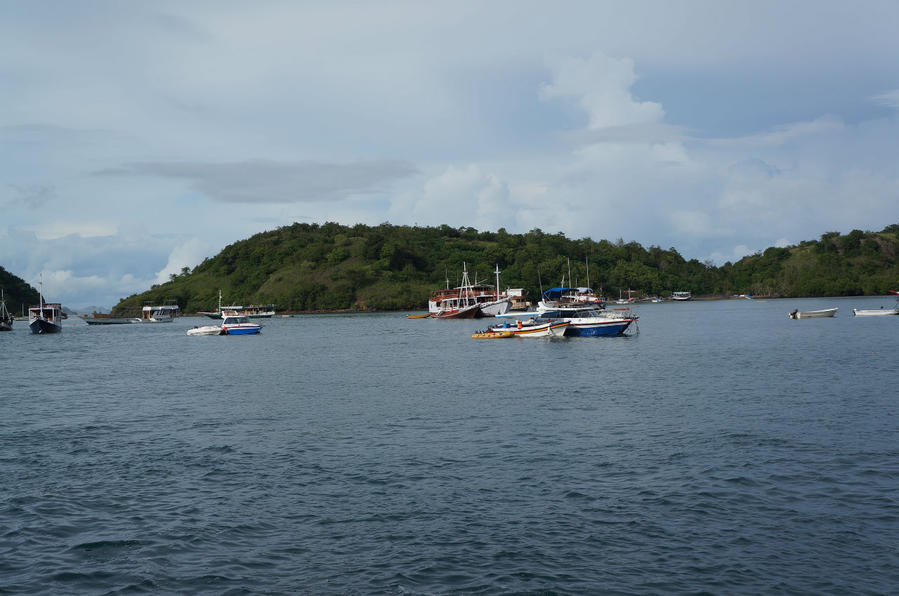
138	138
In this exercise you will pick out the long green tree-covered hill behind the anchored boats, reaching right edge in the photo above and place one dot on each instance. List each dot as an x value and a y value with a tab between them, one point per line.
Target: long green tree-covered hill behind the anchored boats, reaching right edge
311	267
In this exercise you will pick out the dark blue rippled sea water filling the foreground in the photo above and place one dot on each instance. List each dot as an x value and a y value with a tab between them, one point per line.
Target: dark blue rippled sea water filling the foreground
725	449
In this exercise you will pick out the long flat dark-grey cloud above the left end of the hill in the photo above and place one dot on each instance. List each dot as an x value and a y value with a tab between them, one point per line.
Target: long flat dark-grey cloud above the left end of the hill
276	182
